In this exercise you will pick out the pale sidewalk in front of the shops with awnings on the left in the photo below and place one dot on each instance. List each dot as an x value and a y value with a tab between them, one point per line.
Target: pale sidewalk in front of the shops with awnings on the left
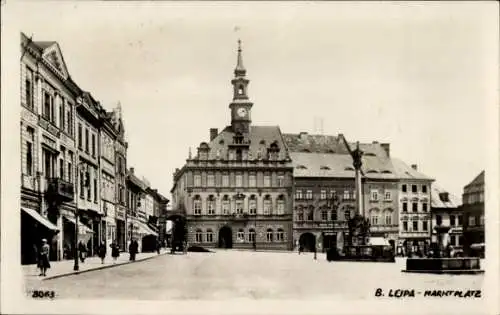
65	267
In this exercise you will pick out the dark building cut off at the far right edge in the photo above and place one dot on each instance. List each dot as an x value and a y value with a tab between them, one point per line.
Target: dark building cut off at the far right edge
473	214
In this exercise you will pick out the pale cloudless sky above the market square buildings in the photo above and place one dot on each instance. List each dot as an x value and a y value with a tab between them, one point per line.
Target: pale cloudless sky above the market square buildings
422	76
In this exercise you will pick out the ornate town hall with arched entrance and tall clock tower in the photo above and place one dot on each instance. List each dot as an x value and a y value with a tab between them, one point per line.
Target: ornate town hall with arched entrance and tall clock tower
237	191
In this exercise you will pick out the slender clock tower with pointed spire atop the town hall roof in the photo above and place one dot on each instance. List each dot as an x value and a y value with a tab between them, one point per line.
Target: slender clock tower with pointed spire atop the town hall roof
241	105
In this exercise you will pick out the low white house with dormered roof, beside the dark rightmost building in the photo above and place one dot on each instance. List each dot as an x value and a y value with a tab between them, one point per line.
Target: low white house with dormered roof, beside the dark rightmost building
447	213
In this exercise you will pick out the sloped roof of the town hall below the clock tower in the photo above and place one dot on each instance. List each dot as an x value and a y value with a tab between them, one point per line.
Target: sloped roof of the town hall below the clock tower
260	138
